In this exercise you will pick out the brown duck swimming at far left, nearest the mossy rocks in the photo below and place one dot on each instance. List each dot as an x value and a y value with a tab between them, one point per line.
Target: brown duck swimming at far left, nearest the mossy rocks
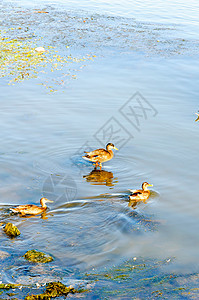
30	209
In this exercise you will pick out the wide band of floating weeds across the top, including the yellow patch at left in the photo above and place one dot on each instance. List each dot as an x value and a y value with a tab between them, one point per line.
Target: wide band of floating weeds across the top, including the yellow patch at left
25	54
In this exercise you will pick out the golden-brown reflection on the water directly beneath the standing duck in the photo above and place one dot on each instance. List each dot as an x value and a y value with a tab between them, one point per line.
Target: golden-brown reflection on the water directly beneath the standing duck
100	177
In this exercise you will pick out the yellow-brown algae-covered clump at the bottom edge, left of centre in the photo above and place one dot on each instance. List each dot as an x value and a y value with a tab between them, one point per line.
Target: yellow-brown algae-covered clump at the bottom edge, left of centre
53	290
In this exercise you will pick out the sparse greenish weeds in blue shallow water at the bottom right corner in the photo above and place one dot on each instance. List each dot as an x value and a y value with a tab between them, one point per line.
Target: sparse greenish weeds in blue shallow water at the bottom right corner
144	279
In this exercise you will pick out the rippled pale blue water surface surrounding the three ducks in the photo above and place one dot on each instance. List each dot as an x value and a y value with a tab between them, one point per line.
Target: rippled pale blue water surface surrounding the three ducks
150	49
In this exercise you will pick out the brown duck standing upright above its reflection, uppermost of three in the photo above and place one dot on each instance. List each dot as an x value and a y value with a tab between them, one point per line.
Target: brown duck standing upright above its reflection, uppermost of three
100	156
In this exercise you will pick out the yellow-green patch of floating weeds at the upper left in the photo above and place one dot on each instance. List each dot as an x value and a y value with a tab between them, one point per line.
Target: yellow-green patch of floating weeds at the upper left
21	60
